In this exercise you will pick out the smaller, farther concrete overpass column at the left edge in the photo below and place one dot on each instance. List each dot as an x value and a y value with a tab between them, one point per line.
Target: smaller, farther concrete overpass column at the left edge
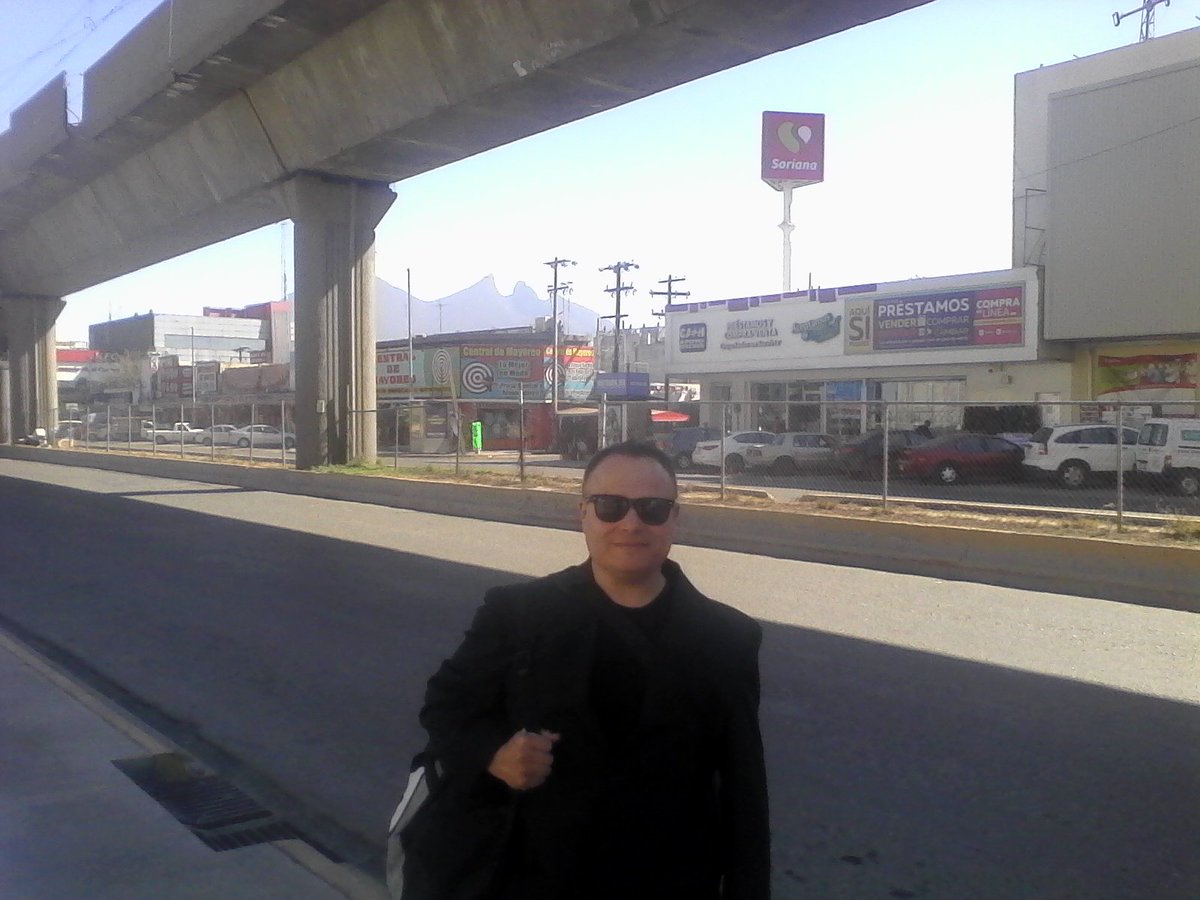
33	363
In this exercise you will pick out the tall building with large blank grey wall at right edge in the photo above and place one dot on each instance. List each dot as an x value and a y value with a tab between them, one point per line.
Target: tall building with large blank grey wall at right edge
1107	199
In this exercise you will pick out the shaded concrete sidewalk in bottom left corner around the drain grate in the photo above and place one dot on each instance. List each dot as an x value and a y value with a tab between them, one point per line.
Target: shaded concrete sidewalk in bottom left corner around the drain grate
73	826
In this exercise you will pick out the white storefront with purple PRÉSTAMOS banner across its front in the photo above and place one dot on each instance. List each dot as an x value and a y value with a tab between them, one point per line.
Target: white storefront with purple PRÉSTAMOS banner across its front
812	363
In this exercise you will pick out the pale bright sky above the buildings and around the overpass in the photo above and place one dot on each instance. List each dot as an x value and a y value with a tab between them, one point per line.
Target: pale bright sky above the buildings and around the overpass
919	169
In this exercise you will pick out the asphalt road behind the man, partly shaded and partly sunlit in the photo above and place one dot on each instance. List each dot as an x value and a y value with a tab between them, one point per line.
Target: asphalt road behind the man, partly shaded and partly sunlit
925	739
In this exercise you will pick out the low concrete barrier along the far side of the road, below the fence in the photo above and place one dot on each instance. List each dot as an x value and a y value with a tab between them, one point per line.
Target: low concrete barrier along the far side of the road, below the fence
1149	575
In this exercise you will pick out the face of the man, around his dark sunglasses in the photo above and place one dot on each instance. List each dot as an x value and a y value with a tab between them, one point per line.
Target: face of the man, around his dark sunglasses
628	550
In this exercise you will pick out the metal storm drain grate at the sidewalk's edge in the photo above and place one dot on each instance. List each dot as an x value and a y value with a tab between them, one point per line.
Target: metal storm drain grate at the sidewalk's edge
208	806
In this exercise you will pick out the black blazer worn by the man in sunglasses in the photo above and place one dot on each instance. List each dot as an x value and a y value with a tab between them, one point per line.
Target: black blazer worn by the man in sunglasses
692	820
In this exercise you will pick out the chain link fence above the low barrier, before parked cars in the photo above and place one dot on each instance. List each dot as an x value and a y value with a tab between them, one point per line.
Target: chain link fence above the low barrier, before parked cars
1109	460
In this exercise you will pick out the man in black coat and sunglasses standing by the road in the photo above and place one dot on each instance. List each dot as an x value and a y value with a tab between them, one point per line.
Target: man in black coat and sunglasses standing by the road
613	711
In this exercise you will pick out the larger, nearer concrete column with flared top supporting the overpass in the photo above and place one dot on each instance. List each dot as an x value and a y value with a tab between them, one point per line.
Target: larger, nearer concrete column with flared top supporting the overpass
335	359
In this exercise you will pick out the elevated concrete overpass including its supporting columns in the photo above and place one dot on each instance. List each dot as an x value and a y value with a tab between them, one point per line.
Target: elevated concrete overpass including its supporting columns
218	117
